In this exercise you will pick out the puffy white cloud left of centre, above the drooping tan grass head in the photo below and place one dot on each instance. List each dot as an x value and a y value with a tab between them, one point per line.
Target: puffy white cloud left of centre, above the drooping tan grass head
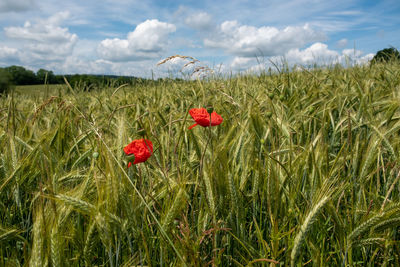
147	41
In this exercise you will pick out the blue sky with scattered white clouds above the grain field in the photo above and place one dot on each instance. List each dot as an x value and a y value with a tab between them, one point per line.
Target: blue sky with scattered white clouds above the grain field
130	37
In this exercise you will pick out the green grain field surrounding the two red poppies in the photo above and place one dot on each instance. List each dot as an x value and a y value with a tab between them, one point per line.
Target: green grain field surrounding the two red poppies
303	170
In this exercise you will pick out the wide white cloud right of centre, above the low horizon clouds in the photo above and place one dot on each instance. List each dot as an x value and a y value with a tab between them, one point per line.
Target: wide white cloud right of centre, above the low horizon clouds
249	41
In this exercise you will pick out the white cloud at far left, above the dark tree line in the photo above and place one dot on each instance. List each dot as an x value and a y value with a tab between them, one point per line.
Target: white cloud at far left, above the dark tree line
44	40
